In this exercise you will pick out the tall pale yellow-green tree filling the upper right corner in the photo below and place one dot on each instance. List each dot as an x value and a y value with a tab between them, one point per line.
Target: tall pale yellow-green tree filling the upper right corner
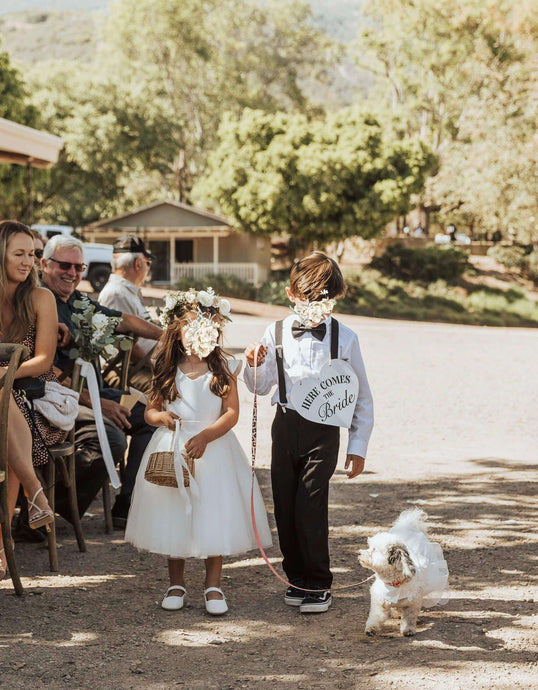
461	76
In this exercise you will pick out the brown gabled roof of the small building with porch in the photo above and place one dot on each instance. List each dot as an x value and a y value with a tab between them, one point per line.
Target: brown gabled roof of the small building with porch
150	217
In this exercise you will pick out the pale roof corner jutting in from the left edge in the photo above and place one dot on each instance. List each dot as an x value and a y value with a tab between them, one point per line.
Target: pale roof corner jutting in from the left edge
23	145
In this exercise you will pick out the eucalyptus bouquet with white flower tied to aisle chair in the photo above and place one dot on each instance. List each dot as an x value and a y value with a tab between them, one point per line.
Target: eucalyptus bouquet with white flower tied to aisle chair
94	334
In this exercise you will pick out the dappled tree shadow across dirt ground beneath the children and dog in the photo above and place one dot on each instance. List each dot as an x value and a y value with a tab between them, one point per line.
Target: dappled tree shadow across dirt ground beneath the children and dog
98	624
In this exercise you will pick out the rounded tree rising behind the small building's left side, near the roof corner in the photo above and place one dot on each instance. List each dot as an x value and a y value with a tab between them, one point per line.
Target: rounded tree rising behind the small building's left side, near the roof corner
113	134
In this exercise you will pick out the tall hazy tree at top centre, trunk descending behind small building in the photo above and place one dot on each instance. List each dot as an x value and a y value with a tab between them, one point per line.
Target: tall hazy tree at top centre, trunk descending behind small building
196	60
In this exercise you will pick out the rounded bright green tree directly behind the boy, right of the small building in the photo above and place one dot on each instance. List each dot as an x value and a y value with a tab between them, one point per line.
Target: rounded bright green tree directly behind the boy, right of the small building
318	179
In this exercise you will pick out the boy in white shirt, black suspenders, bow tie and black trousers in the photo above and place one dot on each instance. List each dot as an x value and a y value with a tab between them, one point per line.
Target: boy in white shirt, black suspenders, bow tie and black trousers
304	453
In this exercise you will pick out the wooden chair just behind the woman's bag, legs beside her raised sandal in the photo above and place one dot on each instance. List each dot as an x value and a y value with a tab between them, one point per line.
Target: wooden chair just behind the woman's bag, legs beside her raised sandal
64	456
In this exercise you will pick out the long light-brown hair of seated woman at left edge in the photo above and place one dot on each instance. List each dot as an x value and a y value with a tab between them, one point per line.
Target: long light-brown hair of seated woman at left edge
22	298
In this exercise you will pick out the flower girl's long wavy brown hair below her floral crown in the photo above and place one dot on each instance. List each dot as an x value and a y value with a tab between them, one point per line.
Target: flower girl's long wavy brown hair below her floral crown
171	352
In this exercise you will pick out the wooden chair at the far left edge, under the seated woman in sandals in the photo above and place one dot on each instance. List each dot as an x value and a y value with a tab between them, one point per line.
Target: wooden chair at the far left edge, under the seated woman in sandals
15	354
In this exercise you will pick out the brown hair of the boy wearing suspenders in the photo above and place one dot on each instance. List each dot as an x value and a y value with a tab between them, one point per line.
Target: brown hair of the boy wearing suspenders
316	276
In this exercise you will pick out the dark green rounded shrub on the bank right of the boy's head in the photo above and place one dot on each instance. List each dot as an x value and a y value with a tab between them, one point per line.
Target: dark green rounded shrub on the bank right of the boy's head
425	264
